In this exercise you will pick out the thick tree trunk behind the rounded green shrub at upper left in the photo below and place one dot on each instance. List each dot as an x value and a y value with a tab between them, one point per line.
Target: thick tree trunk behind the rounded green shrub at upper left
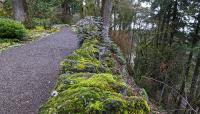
19	12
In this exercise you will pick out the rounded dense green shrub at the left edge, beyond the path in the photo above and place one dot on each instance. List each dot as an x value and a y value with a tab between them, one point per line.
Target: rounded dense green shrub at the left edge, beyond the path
11	29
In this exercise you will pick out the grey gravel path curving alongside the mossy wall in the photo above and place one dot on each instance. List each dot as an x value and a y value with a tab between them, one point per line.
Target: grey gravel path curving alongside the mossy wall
28	73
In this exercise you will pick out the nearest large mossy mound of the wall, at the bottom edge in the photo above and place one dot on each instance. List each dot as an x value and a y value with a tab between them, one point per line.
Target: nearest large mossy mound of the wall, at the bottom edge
92	94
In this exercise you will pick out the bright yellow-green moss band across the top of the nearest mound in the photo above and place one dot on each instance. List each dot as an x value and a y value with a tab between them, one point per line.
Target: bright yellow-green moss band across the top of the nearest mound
102	81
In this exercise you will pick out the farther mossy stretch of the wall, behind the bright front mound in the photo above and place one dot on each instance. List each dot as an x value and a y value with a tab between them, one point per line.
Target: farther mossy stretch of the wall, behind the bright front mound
85	59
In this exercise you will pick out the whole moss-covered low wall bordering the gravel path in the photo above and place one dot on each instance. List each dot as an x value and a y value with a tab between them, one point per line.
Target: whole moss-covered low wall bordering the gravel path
89	83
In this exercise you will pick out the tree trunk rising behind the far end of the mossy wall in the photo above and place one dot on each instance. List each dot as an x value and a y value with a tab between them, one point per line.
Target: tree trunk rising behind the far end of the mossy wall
105	13
